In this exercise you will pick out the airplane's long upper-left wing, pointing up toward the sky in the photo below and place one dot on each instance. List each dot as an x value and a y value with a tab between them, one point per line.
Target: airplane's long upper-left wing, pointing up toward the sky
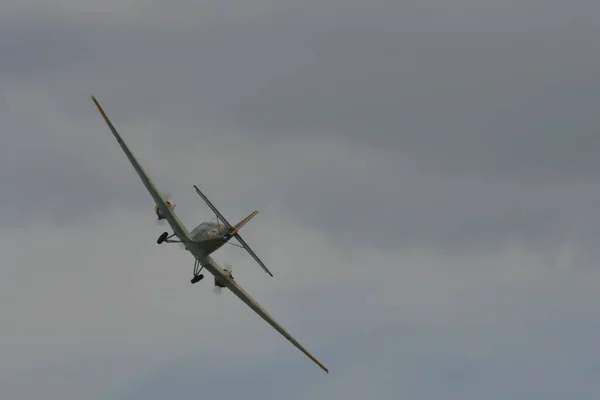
165	210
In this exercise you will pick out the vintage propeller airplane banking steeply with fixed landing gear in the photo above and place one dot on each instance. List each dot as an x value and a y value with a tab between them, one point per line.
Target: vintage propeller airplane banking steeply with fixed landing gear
204	240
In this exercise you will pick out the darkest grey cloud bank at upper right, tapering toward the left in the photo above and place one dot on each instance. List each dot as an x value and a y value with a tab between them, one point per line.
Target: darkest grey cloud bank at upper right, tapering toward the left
485	103
